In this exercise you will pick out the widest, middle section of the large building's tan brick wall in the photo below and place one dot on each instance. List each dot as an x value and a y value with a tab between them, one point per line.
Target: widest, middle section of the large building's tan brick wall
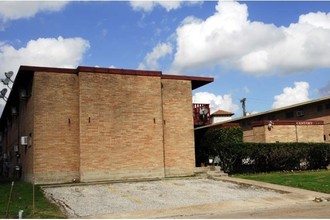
121	132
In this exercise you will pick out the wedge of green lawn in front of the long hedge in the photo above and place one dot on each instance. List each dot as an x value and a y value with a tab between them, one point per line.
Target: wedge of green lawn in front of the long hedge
311	180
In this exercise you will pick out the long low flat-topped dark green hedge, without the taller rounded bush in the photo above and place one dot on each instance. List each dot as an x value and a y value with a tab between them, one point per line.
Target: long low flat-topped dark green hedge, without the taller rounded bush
266	157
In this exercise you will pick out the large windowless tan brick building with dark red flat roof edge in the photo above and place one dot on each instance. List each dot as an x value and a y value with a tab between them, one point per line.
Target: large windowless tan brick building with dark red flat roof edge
94	124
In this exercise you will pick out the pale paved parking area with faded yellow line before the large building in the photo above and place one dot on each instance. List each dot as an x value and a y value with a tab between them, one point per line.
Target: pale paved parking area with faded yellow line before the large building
222	197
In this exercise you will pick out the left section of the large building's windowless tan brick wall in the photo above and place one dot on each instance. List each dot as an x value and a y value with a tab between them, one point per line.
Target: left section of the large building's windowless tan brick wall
56	126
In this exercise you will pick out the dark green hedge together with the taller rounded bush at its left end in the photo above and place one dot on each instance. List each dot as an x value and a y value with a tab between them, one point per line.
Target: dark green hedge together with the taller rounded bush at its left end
237	157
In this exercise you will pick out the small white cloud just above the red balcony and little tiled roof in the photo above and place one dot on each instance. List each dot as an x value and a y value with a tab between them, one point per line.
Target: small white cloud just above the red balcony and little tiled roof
216	102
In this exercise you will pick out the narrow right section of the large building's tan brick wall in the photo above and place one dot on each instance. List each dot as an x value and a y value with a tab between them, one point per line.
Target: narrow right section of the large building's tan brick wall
178	128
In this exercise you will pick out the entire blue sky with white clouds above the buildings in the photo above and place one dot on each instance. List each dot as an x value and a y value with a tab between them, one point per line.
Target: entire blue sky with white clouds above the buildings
271	53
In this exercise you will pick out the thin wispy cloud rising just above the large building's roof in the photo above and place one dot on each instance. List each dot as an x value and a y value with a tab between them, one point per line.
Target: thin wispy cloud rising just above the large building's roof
158	52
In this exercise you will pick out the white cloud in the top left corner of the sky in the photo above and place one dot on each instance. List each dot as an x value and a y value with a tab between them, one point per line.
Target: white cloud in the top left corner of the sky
12	10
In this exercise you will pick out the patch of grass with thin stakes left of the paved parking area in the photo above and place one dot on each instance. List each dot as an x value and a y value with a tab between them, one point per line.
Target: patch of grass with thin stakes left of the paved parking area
22	199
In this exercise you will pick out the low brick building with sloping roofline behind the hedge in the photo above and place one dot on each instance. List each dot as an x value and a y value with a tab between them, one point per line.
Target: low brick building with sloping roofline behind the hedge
303	122
